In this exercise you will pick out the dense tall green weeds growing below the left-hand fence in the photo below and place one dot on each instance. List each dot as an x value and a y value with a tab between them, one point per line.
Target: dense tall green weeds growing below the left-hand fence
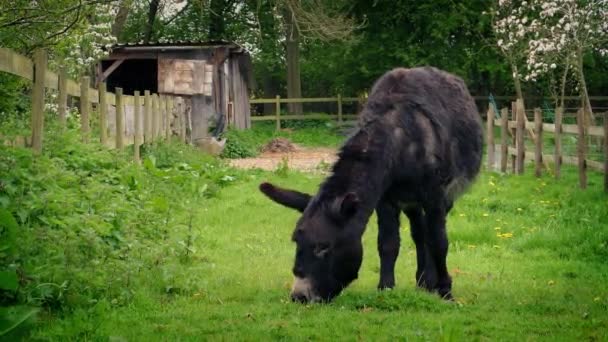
91	226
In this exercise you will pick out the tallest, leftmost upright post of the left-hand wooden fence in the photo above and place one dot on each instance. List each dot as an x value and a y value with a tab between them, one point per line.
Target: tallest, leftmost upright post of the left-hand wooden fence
40	64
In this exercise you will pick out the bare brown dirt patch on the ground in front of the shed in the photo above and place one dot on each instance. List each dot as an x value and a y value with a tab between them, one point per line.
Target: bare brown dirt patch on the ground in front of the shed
303	159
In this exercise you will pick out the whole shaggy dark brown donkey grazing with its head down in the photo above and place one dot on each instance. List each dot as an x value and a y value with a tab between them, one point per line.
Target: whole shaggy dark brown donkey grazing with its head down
417	147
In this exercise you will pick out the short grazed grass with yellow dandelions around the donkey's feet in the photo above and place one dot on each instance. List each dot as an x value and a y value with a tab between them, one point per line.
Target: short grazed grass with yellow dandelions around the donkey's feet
546	282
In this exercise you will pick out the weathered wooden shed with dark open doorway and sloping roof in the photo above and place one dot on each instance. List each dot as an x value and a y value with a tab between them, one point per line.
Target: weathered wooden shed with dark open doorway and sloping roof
213	78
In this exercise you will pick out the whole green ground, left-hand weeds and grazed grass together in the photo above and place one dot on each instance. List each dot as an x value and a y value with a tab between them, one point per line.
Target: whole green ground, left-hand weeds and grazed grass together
185	248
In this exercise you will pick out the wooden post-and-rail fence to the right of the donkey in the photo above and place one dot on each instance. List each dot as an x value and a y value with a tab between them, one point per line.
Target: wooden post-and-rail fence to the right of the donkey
515	127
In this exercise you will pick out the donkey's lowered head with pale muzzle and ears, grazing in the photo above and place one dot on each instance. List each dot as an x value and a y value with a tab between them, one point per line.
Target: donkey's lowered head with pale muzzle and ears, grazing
328	257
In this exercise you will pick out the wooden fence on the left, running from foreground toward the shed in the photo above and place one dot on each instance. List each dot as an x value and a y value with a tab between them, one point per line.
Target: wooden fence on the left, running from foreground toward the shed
160	116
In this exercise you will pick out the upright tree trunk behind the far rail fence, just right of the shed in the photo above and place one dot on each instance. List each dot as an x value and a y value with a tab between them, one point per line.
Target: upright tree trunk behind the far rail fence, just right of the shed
294	87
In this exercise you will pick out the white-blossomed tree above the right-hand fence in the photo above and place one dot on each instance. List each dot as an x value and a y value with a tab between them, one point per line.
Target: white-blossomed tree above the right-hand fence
542	37
